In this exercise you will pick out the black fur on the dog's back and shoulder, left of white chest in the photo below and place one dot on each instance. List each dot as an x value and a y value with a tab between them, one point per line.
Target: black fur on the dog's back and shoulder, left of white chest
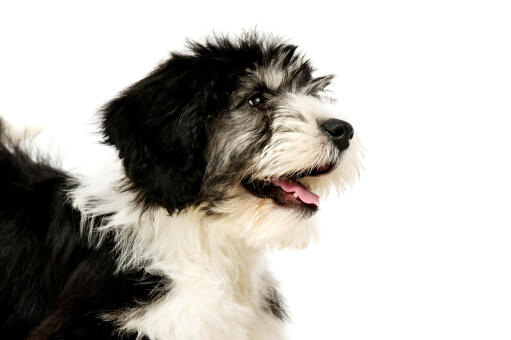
52	285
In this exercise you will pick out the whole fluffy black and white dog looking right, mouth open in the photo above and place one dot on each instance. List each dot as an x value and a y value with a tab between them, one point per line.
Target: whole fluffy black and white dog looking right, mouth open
217	155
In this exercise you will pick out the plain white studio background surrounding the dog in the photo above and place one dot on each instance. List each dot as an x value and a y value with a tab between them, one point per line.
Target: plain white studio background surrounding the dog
420	248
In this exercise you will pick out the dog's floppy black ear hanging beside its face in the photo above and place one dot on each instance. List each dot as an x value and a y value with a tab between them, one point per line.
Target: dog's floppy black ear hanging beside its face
158	126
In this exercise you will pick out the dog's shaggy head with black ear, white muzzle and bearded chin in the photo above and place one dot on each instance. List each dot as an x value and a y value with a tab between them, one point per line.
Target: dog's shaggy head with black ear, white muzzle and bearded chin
240	130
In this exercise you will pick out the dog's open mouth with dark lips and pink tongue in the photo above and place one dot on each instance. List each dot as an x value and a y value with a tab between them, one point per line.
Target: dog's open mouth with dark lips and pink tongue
288	191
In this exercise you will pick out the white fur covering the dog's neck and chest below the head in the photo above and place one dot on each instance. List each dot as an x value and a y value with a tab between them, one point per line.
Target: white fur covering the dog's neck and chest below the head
218	283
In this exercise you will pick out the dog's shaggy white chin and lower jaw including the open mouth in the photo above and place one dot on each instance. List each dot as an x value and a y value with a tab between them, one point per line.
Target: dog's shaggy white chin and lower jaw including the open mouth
276	213
